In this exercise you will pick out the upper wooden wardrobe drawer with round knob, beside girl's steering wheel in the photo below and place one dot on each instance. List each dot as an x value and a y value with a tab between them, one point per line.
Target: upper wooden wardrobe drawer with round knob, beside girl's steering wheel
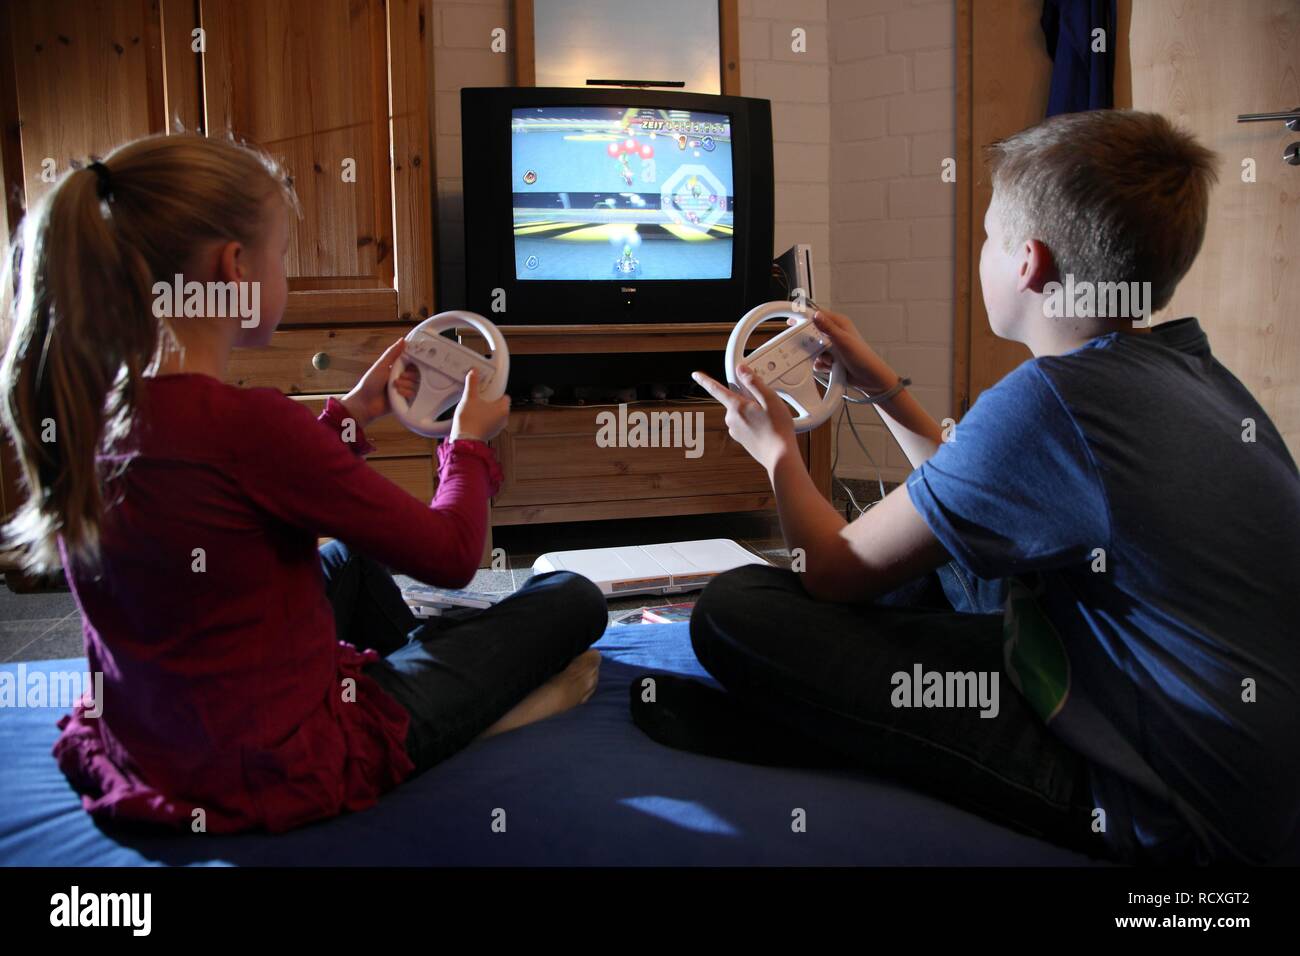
287	364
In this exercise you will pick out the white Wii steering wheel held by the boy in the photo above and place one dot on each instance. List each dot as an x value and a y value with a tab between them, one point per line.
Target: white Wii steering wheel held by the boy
786	364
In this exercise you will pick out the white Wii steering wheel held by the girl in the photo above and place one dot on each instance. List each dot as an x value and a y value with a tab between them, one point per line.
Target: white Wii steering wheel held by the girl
444	365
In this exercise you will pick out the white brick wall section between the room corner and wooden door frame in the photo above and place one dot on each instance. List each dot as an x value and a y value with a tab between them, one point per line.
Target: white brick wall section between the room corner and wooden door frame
892	220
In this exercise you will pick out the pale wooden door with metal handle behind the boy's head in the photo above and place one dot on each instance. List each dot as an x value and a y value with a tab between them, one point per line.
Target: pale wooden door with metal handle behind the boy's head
1202	64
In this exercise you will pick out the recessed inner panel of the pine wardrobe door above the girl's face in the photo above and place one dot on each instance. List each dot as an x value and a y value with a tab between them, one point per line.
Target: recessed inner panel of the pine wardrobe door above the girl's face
307	80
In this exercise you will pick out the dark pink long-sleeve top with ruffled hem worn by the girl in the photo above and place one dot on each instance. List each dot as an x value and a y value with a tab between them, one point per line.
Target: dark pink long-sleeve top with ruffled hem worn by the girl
224	689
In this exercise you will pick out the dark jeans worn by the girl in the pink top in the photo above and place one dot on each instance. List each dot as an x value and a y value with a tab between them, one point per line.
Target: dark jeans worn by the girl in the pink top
458	677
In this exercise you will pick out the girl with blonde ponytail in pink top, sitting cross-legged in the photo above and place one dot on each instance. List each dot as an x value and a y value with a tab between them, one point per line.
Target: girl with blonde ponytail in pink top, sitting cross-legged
245	674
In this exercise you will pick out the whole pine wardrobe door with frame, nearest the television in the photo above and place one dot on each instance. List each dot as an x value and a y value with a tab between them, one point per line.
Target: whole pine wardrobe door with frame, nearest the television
333	89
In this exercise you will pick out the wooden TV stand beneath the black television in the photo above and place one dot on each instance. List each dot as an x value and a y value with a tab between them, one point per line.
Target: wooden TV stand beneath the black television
556	471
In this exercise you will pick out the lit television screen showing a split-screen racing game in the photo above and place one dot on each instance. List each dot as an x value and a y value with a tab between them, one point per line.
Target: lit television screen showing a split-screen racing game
622	193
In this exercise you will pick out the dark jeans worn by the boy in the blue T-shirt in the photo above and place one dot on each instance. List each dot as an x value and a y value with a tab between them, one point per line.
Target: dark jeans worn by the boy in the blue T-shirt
826	671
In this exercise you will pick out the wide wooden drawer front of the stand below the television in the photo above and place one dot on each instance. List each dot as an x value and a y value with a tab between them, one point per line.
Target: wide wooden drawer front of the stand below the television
551	457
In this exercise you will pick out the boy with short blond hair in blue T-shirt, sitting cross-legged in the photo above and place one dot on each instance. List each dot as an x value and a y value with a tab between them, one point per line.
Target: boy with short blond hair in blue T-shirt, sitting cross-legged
1116	526
